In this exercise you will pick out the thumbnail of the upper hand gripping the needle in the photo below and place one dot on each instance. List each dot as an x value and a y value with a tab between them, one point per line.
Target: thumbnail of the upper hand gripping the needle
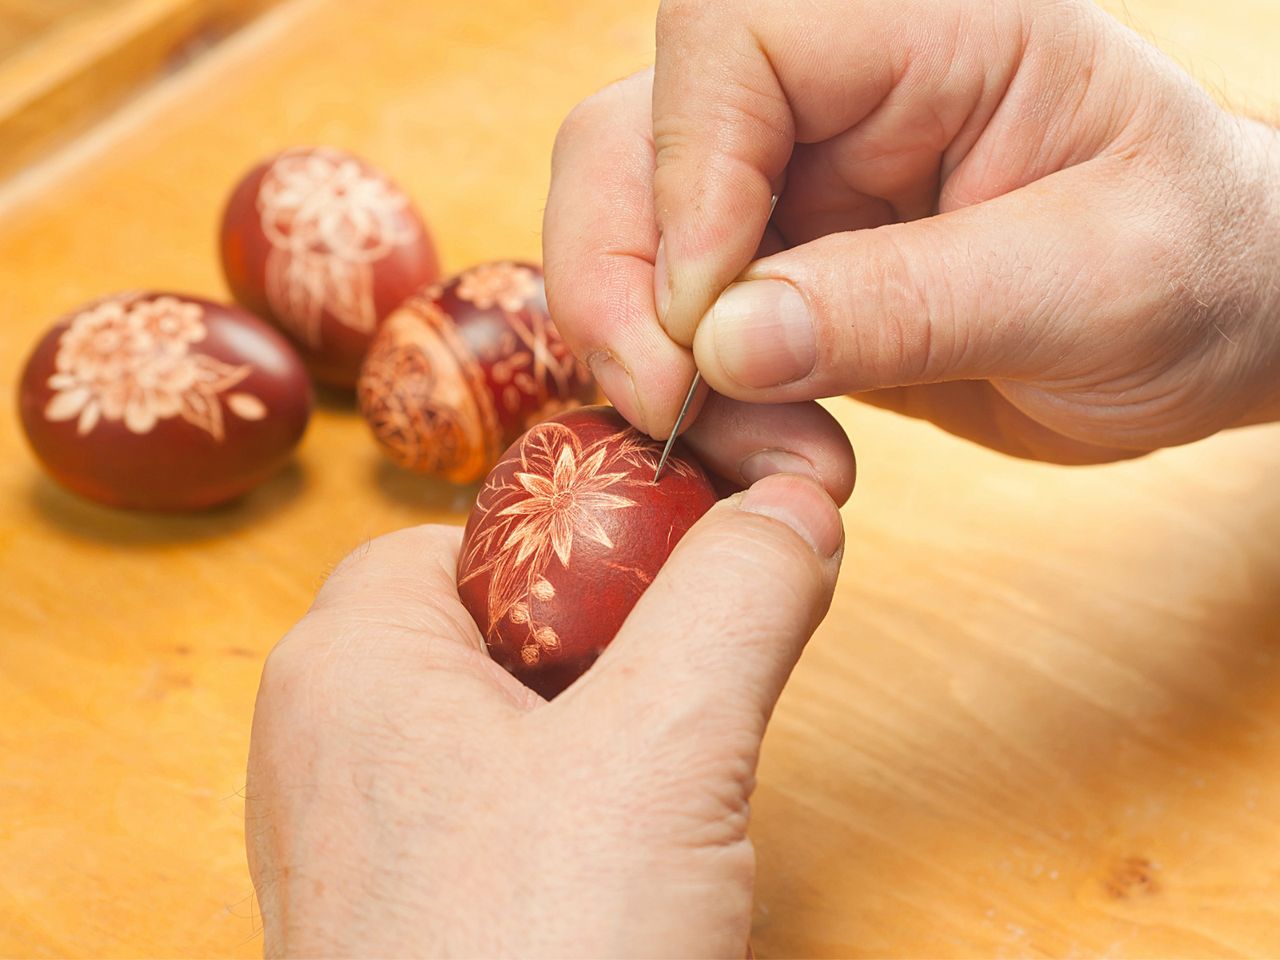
764	333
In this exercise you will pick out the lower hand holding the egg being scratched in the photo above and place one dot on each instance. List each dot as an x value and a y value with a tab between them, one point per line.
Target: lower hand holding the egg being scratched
406	797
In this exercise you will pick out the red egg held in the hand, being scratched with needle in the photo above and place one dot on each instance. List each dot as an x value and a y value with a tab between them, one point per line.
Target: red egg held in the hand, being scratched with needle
568	533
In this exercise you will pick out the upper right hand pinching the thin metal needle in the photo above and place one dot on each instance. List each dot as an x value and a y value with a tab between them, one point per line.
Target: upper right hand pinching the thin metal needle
1016	220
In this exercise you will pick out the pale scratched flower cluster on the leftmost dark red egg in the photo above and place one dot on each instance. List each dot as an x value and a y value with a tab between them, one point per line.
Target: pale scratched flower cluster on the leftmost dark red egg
130	362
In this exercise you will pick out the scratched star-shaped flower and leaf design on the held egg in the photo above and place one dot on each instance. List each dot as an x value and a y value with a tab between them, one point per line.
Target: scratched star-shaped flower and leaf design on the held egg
554	502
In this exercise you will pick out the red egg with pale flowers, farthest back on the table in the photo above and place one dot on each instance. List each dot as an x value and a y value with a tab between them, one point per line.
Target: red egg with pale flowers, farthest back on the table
326	246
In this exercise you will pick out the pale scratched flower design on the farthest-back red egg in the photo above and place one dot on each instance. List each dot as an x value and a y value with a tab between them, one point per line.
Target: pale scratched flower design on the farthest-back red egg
330	220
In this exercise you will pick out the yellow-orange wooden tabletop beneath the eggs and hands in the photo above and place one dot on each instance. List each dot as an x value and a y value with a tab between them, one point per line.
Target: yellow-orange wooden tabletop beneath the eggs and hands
1043	719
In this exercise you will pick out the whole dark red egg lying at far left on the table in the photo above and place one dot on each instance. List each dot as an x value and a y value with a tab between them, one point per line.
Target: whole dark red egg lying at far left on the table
162	401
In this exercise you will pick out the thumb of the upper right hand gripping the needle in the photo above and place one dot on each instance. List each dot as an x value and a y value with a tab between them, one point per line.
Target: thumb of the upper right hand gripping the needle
1000	290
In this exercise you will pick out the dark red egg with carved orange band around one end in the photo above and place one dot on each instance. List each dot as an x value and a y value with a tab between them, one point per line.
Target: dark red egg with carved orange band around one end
467	367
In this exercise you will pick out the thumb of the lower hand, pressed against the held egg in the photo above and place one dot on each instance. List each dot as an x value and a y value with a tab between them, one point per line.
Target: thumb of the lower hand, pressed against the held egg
725	621
